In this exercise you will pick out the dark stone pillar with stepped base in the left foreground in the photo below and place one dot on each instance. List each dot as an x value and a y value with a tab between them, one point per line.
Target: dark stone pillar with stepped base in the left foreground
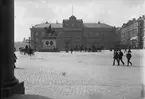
9	84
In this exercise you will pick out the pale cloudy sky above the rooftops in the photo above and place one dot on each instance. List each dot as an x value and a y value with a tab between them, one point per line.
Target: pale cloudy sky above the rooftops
113	12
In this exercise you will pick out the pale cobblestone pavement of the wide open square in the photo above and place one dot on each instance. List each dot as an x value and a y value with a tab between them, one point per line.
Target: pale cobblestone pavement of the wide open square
88	75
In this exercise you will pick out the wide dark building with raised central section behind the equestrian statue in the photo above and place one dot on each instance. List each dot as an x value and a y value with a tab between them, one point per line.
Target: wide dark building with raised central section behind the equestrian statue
72	32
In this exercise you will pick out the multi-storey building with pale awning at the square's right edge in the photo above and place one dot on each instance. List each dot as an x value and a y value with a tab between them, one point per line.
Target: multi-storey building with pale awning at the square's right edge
132	33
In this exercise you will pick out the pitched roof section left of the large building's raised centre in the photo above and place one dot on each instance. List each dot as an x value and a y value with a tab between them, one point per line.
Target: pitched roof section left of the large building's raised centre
53	25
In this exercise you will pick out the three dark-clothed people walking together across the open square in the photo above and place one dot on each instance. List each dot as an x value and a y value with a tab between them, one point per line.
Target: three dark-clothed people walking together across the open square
118	56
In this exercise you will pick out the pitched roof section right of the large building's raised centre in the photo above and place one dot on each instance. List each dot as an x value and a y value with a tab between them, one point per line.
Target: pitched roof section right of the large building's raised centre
97	25
